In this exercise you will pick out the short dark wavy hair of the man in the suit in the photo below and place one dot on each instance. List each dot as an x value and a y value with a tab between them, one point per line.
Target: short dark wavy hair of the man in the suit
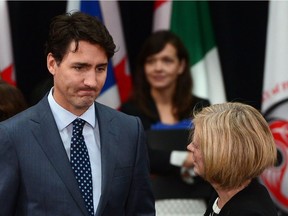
75	27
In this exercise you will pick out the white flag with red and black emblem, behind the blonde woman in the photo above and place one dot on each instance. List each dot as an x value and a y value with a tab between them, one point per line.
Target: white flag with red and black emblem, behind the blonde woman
275	100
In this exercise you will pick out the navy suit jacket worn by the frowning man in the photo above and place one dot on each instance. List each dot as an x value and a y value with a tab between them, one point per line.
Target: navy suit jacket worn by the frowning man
36	178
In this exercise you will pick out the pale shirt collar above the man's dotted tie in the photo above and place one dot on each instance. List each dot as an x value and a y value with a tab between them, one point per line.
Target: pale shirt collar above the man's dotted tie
63	117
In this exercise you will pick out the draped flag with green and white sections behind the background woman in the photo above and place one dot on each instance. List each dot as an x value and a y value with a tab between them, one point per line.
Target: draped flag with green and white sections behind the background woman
190	20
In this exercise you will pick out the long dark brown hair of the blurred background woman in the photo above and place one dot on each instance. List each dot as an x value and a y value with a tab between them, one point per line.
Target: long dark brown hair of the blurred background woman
182	100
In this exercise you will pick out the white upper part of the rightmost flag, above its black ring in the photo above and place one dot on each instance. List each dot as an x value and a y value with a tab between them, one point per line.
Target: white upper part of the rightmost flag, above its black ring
275	86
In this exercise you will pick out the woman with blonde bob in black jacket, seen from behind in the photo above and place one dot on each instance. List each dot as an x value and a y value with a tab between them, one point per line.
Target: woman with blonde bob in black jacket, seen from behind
231	146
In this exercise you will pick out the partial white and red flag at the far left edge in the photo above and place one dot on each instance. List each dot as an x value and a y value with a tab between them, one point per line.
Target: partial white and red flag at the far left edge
6	57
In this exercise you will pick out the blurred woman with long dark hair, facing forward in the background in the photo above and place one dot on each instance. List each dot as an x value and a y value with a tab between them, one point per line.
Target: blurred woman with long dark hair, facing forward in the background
162	84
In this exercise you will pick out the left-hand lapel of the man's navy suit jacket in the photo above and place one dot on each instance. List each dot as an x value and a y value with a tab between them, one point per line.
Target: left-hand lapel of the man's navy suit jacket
46	132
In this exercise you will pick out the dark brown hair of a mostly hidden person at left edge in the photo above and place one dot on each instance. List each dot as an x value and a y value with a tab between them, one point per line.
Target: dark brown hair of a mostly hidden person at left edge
12	100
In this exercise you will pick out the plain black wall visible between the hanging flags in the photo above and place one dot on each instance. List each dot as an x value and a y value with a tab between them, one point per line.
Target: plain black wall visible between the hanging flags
239	26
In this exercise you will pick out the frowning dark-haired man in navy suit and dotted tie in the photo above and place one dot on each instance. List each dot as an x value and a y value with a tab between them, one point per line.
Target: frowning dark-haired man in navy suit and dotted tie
40	174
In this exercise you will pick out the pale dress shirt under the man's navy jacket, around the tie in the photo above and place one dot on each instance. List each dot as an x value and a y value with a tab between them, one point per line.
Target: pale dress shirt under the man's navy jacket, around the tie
91	135
